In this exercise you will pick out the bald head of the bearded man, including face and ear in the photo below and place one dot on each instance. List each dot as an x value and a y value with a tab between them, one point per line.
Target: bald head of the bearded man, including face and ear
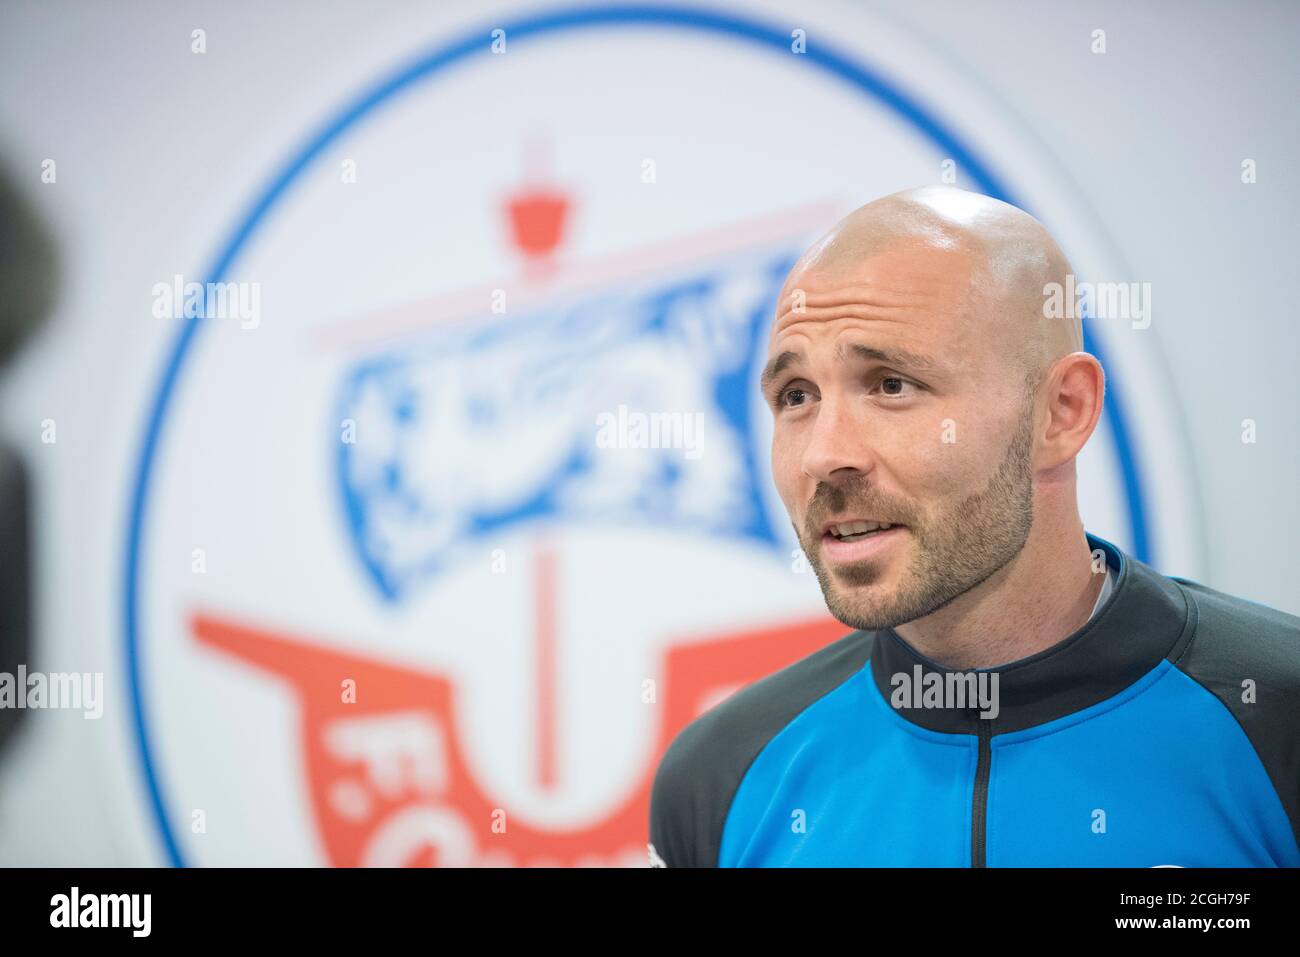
928	413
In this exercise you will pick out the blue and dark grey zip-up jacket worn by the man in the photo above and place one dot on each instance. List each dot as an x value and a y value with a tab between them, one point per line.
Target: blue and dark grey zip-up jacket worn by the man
1167	731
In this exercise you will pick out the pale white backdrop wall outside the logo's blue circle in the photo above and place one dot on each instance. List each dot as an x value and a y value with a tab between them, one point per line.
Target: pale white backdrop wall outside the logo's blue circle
158	149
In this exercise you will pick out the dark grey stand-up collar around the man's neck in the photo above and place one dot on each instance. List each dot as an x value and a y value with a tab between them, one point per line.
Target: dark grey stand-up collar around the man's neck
1142	623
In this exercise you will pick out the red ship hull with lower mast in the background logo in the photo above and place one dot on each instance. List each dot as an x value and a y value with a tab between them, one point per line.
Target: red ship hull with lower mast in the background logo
389	780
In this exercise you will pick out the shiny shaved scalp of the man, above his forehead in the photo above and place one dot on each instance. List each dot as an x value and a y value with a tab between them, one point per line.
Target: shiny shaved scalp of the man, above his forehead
1003	254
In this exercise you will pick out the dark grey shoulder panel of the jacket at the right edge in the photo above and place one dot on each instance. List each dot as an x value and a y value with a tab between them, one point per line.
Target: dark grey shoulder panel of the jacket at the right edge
1249	657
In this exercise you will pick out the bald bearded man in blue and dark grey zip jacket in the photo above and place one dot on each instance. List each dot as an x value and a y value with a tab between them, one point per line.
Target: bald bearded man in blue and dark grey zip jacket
1017	692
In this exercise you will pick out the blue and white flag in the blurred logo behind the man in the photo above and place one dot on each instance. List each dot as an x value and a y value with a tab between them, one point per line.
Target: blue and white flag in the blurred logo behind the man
441	417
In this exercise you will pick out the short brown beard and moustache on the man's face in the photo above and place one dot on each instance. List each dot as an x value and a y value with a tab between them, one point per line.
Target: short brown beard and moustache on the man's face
954	552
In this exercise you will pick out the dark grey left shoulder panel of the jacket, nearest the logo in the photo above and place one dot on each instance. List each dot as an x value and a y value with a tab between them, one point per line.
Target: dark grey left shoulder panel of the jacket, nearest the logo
704	767
